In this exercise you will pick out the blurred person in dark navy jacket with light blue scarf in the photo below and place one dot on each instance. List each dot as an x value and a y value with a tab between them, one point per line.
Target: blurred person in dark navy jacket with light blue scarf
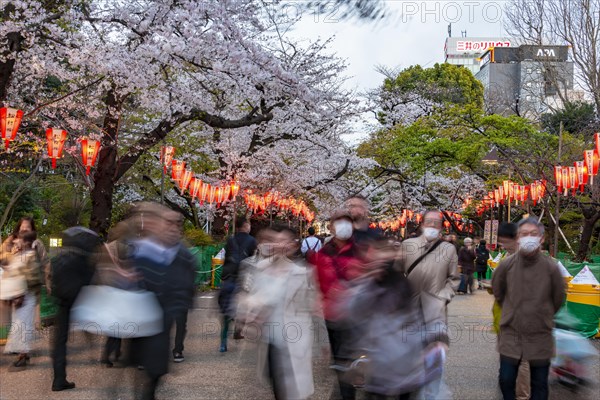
168	269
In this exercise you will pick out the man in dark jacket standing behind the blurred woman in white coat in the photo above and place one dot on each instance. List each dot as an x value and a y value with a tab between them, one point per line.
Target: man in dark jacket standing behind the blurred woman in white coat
239	247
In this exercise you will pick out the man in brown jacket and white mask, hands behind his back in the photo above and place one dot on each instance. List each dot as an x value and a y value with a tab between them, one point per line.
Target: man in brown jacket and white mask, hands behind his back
529	288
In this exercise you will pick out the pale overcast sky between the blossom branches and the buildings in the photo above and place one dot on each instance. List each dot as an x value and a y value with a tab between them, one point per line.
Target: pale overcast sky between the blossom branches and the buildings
414	35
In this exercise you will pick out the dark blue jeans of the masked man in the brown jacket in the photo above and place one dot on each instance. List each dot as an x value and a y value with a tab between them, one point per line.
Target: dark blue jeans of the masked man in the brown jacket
509	369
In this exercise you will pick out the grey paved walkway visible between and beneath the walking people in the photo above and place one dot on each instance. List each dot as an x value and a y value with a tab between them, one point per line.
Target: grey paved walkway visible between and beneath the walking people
208	374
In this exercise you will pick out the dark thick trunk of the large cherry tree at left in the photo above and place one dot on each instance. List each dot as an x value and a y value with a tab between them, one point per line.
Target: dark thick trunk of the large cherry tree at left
104	178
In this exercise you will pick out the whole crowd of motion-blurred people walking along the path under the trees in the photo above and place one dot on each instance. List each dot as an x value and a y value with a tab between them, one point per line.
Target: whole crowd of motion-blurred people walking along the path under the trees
382	302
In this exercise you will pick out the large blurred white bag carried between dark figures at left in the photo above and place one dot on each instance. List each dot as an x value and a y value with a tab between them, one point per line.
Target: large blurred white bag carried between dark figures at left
108	311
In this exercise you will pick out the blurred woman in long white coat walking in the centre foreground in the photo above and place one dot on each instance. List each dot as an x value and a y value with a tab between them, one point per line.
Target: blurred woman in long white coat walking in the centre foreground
279	308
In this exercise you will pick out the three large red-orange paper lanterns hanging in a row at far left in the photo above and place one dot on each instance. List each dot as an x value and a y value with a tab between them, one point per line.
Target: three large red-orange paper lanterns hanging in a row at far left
10	121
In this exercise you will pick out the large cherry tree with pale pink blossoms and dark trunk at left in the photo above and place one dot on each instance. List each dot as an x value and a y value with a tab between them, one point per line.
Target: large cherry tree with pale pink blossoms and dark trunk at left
133	74
